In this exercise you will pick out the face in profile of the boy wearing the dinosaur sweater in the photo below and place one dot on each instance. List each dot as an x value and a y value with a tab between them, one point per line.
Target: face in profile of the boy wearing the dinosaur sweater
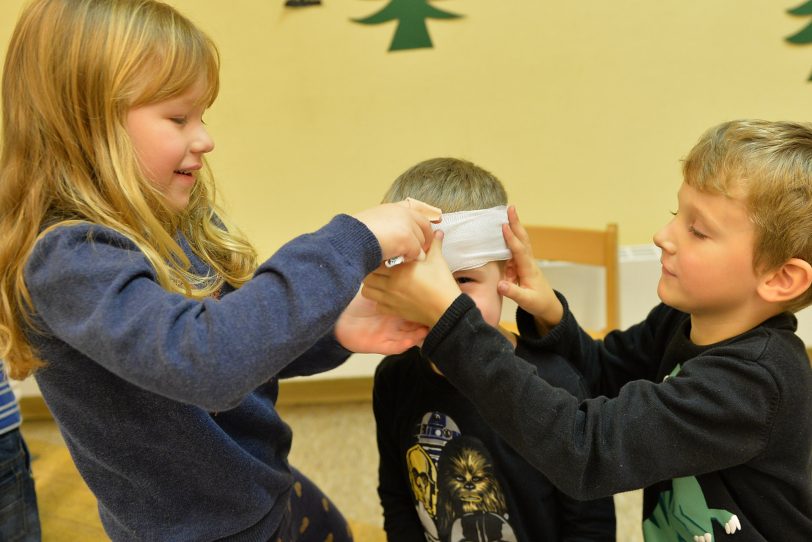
707	258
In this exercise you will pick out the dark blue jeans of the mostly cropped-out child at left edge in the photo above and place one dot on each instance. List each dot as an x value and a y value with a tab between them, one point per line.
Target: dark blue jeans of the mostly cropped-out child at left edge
19	517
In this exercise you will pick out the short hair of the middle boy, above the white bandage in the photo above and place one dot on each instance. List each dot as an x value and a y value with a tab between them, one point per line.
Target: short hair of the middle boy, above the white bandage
451	184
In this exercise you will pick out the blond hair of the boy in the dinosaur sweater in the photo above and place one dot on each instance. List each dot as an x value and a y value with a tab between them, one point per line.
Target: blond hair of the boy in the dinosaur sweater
769	165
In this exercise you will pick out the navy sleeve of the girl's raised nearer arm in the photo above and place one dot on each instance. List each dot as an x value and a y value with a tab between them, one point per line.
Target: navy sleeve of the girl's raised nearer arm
97	293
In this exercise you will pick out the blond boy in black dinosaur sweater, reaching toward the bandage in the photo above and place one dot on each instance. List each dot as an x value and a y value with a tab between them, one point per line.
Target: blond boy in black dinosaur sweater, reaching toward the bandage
706	403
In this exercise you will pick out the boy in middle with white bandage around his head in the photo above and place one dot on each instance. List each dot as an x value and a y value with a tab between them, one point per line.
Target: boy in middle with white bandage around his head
444	474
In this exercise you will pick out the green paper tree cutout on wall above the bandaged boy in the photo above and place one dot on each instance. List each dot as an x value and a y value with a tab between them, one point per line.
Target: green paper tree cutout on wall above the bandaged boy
411	32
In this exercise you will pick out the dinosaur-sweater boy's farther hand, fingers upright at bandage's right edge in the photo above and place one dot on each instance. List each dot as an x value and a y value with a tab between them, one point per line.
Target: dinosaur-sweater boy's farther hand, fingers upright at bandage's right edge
530	291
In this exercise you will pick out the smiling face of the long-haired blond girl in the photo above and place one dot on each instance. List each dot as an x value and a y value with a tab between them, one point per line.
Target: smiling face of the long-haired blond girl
170	139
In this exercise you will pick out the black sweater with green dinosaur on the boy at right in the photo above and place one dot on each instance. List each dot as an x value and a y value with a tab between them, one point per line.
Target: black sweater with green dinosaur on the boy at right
734	426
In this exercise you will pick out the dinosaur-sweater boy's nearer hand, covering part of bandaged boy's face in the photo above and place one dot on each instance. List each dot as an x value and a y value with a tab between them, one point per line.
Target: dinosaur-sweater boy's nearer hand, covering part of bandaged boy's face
417	291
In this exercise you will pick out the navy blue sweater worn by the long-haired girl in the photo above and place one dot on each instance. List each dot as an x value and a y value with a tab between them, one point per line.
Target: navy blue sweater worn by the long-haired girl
167	403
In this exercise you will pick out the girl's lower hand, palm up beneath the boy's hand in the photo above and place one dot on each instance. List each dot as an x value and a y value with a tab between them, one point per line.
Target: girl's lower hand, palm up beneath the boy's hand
361	328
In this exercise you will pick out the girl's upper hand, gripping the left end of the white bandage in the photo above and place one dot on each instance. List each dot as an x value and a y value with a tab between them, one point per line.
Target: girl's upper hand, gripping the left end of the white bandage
402	229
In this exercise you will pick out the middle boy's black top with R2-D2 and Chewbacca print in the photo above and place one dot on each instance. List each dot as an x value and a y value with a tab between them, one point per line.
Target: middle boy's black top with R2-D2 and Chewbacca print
407	391
